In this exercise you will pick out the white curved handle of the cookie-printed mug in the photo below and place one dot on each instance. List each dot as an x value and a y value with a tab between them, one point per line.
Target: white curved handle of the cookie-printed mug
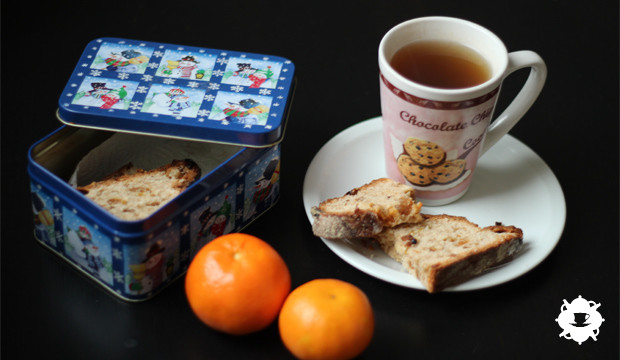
524	99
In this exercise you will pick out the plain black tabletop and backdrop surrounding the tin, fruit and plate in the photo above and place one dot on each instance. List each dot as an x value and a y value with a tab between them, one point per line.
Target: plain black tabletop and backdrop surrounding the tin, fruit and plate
50	310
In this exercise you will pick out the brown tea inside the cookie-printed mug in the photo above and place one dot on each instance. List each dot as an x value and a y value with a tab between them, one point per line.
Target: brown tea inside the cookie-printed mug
441	64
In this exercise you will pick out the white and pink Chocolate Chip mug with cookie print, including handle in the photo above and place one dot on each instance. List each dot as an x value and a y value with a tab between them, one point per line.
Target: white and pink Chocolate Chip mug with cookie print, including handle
457	121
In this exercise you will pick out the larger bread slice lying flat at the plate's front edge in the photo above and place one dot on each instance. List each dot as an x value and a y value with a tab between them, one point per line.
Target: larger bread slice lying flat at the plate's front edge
445	250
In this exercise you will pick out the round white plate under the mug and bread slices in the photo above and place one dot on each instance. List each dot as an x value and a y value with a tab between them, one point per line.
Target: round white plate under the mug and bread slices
511	184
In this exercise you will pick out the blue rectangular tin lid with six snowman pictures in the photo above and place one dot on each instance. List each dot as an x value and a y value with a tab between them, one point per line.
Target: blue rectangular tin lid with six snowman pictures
179	91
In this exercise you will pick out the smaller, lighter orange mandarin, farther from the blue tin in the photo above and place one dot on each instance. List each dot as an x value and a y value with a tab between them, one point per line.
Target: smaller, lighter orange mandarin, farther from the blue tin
326	319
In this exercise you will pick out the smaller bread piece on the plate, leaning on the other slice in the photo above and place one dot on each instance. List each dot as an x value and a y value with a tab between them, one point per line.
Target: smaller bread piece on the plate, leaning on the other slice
366	210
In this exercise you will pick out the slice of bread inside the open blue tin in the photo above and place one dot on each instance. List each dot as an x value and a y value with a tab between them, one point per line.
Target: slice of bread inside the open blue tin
133	194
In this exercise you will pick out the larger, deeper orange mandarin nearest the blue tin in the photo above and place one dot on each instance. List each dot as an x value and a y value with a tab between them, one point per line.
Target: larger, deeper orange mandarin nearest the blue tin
237	284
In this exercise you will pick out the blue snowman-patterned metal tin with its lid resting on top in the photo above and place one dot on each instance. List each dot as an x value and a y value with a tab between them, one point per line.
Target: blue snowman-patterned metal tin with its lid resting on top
134	260
